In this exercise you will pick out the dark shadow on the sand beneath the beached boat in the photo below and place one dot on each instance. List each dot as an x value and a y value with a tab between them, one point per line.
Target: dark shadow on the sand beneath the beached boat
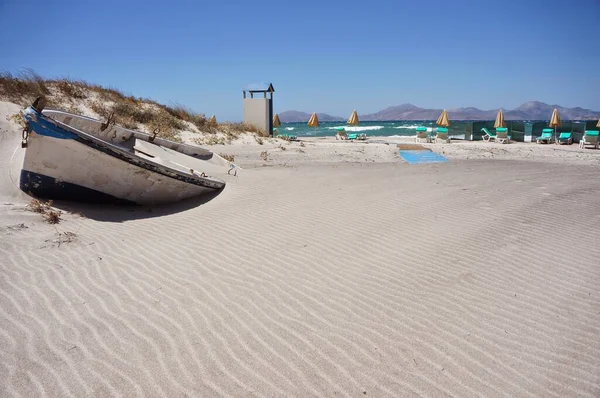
127	212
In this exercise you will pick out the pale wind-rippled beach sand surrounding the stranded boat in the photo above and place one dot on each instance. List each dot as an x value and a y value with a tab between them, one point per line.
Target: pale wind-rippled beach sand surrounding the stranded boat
337	271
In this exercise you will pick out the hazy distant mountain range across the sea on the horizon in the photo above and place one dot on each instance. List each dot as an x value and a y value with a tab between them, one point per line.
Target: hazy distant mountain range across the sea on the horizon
533	110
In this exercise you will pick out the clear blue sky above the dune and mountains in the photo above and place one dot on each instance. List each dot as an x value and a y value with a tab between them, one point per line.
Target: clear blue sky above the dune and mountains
321	56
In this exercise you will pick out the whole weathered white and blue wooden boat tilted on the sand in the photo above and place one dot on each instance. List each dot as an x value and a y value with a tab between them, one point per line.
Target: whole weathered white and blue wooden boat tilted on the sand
78	158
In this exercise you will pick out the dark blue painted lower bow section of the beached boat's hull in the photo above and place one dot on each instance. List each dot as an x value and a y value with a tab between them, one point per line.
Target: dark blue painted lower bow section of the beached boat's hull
43	186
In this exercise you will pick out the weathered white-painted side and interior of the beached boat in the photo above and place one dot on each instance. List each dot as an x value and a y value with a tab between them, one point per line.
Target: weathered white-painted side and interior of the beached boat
71	161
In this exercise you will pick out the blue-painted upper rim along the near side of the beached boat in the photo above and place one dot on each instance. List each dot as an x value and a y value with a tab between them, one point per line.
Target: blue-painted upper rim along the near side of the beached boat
47	127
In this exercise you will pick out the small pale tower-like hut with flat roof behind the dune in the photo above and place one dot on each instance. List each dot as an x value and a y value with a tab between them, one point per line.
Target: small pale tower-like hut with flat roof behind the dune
258	109
